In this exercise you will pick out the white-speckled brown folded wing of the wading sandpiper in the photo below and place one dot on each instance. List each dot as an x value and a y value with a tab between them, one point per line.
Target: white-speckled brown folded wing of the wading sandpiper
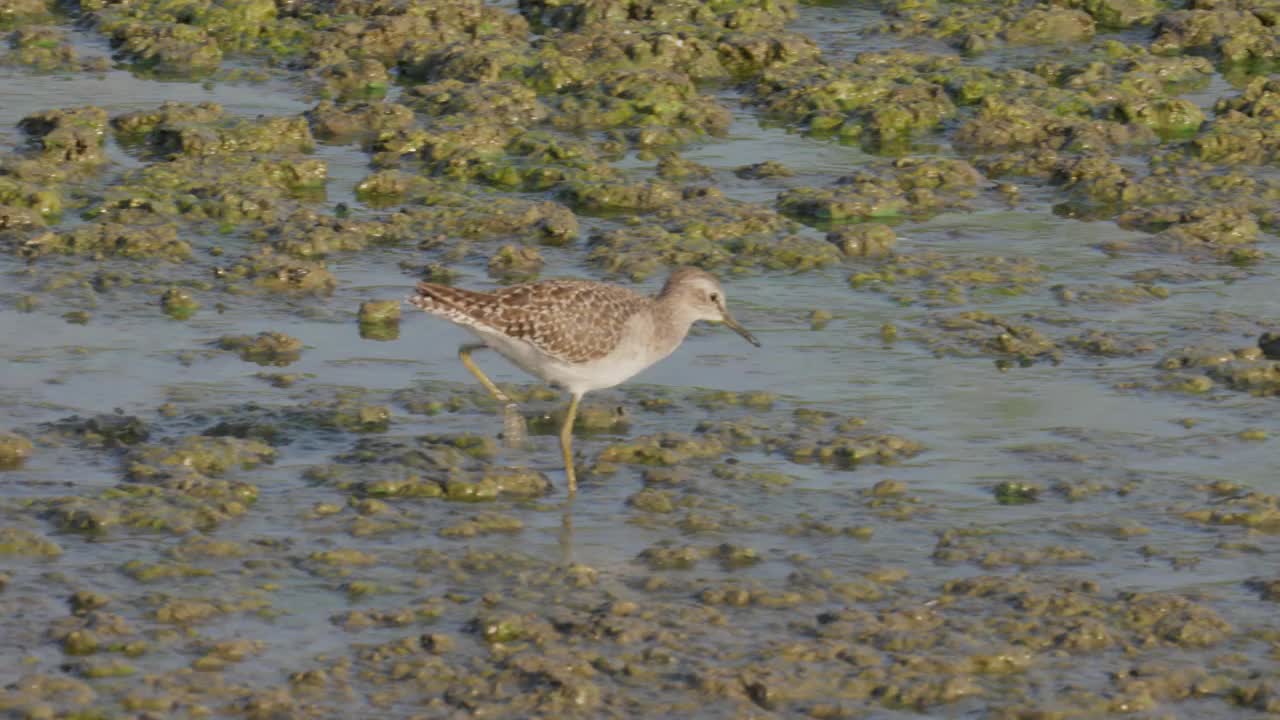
572	321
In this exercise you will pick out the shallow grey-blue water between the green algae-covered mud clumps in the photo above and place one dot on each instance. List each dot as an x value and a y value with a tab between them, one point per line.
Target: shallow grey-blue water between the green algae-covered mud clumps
1077	422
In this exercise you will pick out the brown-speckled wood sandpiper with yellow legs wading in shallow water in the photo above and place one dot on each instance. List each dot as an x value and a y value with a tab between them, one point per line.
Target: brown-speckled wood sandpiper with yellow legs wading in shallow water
578	335
